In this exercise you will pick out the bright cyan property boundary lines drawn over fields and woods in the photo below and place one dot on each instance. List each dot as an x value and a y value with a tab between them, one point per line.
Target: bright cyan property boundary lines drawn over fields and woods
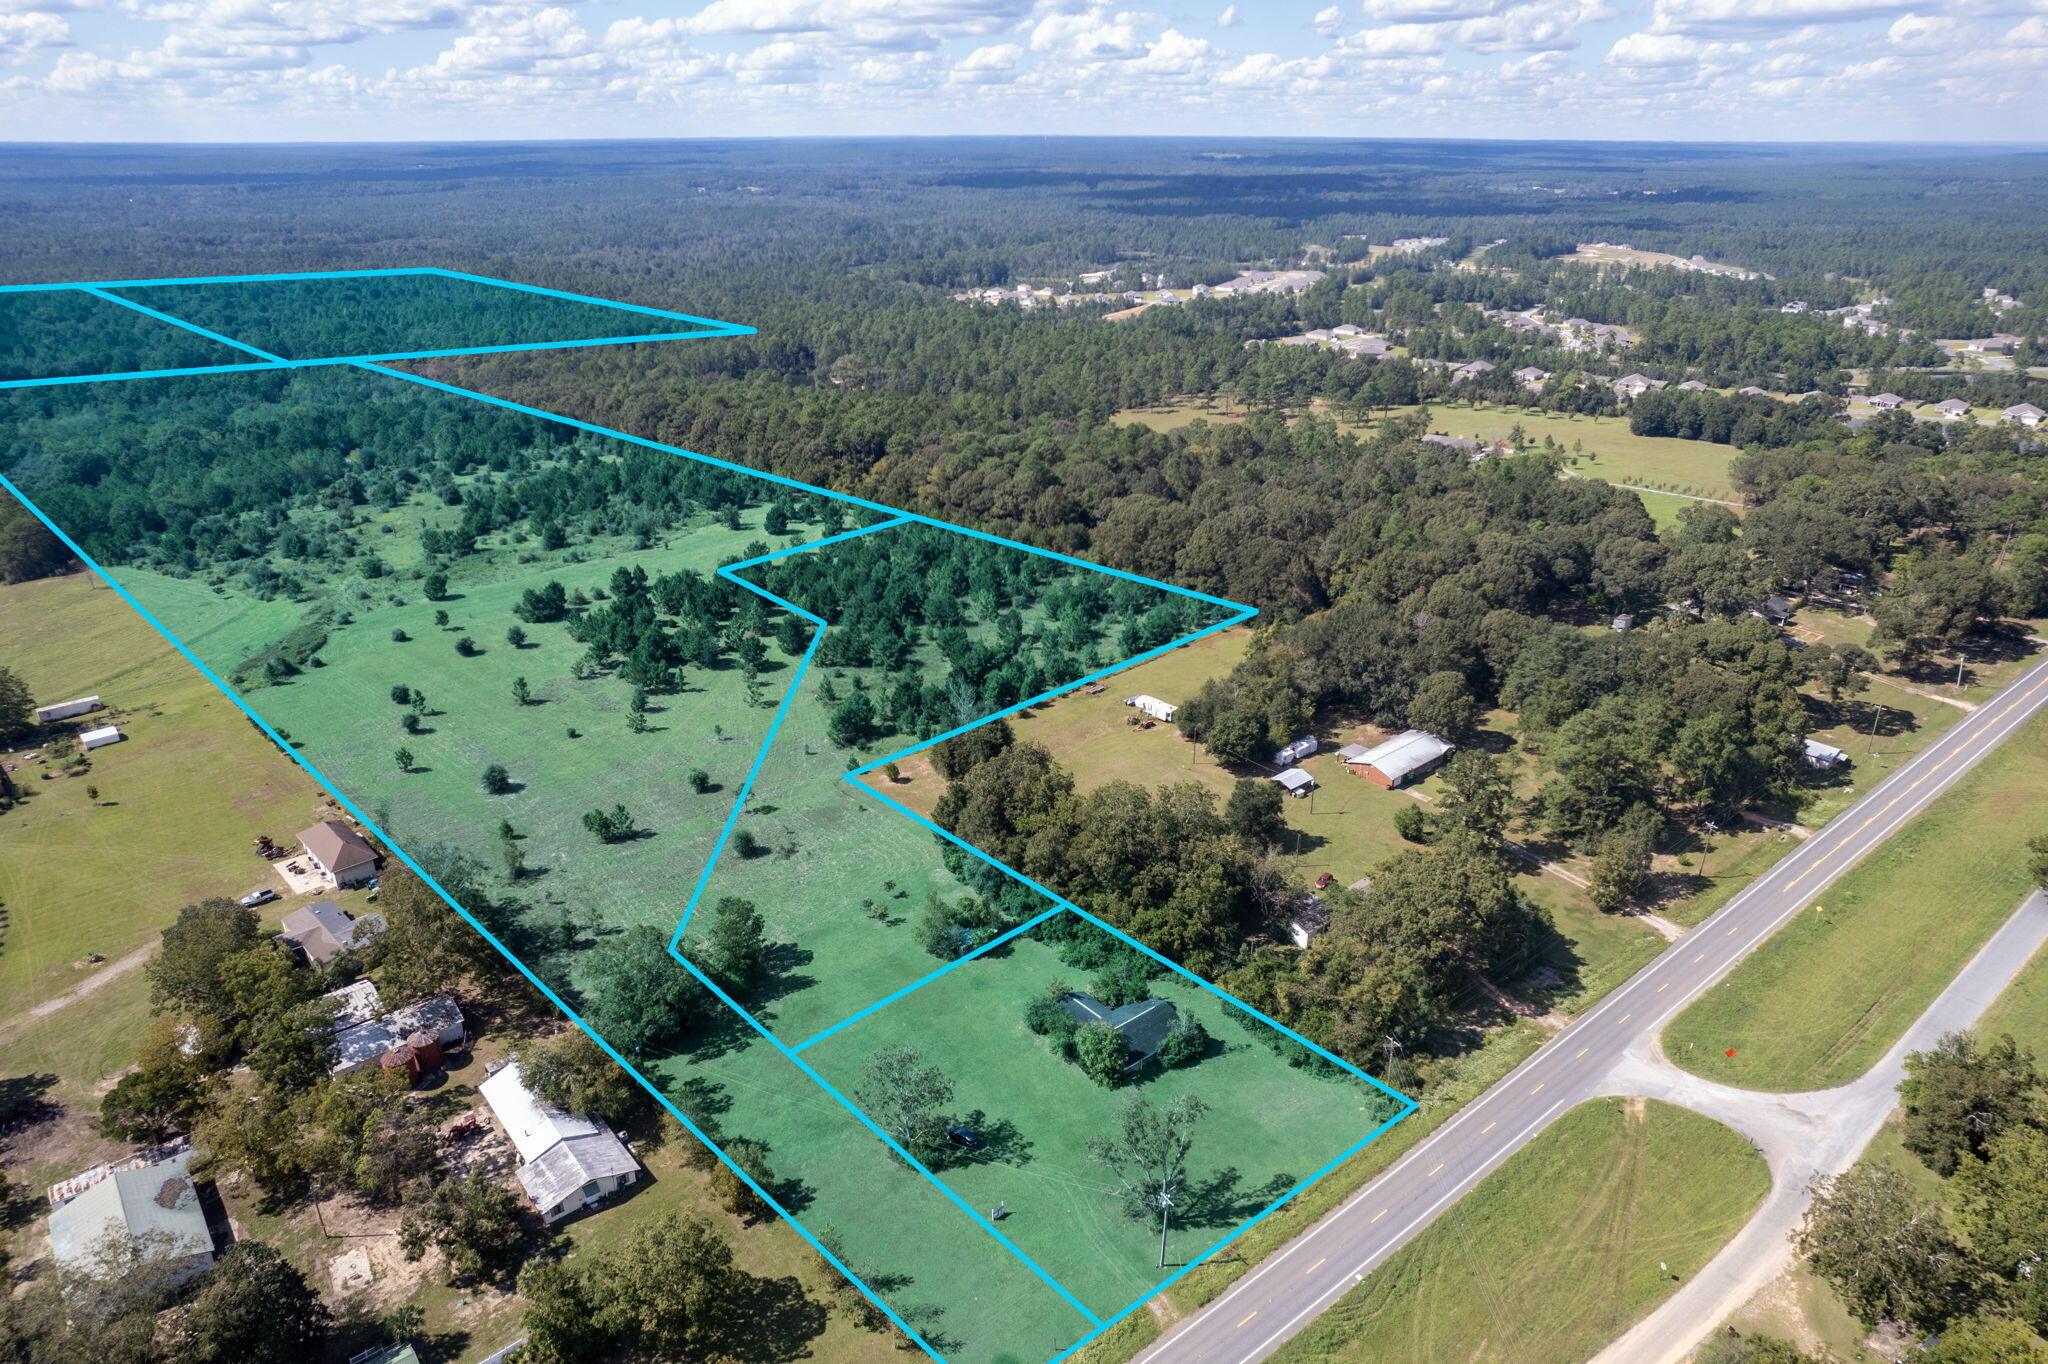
894	519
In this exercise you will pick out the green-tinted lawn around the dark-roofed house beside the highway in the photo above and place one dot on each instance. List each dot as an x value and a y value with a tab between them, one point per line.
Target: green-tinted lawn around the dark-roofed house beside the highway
1269	1127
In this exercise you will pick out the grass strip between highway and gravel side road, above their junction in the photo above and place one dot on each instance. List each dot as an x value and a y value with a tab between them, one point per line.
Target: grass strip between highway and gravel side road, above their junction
1822	1000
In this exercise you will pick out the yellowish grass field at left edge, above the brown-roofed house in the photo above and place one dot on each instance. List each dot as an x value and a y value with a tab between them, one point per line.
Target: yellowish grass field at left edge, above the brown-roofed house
179	800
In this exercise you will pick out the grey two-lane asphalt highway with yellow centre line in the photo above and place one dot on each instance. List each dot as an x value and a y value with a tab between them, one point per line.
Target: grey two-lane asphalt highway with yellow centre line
1256	1316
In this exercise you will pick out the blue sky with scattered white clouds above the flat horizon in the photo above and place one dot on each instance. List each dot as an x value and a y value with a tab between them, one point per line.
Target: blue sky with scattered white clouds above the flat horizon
286	71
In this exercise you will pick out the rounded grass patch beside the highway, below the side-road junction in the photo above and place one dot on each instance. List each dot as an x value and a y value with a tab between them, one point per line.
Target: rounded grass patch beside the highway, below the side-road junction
1560	1250
